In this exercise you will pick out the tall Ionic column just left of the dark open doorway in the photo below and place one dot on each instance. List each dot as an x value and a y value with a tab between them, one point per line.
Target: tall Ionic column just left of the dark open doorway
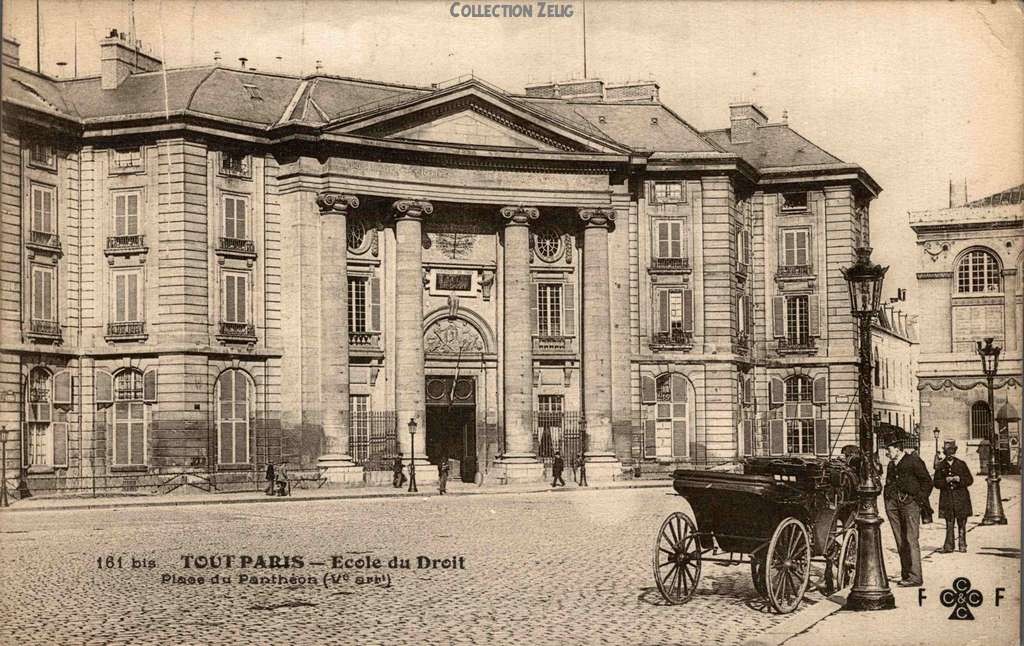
409	331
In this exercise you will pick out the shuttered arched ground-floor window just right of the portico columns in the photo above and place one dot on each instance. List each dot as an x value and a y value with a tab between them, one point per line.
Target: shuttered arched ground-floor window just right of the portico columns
669	417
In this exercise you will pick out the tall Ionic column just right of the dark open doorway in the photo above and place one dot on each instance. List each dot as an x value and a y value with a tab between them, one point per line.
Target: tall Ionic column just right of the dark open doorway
520	462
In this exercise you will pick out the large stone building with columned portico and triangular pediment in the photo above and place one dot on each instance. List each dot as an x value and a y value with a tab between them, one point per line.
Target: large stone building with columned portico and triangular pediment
205	270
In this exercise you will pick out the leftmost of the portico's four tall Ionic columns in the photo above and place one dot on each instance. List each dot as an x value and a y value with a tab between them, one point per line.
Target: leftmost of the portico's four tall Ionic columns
338	465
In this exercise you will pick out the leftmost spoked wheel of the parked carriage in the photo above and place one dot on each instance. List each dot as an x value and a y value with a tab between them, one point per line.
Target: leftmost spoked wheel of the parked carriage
677	558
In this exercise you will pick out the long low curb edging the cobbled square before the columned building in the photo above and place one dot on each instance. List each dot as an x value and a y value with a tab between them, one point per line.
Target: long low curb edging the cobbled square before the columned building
185	502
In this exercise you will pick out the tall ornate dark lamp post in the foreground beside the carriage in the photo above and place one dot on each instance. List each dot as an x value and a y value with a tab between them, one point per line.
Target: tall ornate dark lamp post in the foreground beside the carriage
871	587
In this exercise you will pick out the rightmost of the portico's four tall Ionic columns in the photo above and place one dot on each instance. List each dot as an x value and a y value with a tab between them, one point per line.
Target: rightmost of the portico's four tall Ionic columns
602	461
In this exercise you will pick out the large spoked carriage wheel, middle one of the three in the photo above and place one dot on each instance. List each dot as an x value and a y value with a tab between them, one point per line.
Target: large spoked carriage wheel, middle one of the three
789	566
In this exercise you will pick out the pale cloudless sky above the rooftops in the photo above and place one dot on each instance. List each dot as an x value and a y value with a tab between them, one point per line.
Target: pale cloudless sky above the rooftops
917	93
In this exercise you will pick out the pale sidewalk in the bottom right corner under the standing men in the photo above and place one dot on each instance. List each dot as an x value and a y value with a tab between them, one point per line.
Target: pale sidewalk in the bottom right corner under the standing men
993	562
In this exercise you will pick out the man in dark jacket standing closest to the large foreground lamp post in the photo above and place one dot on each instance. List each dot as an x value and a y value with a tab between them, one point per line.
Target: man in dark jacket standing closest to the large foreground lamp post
908	484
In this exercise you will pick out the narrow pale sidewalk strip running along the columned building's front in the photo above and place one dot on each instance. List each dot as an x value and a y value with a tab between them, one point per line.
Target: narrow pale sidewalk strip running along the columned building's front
182	498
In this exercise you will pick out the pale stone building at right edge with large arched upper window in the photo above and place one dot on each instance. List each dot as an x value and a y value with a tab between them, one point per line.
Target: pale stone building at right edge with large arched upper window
969	281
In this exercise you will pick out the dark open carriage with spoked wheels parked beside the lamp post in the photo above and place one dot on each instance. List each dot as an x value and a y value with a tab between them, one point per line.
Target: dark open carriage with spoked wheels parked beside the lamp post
779	514
